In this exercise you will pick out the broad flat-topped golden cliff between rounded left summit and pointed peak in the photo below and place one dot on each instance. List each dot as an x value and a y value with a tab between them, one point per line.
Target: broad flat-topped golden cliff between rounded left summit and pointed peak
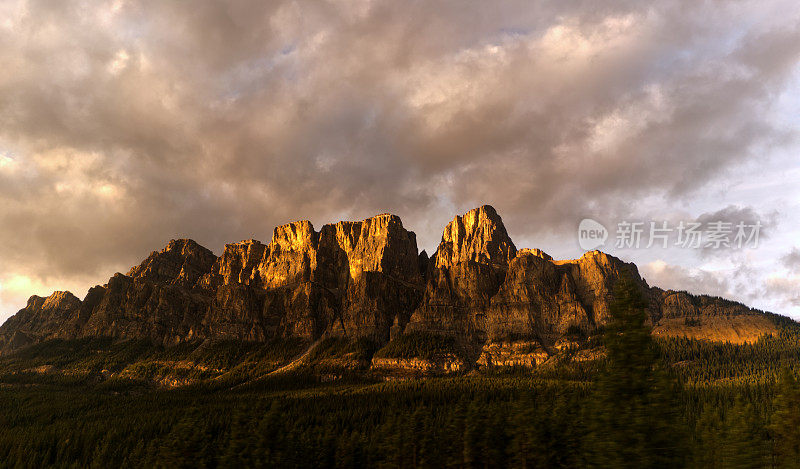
350	278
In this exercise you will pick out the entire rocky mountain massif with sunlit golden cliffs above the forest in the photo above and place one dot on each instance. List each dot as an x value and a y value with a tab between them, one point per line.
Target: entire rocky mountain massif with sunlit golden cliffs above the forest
367	279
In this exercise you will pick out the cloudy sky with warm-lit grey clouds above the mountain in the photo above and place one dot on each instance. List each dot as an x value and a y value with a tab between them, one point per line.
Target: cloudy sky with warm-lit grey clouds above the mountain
124	124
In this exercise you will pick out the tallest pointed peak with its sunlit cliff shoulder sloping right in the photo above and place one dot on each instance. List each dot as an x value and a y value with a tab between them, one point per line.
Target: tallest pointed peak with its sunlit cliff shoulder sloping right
480	287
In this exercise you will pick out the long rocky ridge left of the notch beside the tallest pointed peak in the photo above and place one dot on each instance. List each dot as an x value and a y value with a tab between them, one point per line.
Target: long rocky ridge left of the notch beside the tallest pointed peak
355	279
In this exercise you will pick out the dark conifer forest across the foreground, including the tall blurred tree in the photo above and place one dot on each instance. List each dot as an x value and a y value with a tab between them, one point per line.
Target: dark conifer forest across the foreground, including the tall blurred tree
681	404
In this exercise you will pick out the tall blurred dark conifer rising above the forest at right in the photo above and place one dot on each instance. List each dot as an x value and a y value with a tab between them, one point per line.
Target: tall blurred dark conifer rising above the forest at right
633	418
